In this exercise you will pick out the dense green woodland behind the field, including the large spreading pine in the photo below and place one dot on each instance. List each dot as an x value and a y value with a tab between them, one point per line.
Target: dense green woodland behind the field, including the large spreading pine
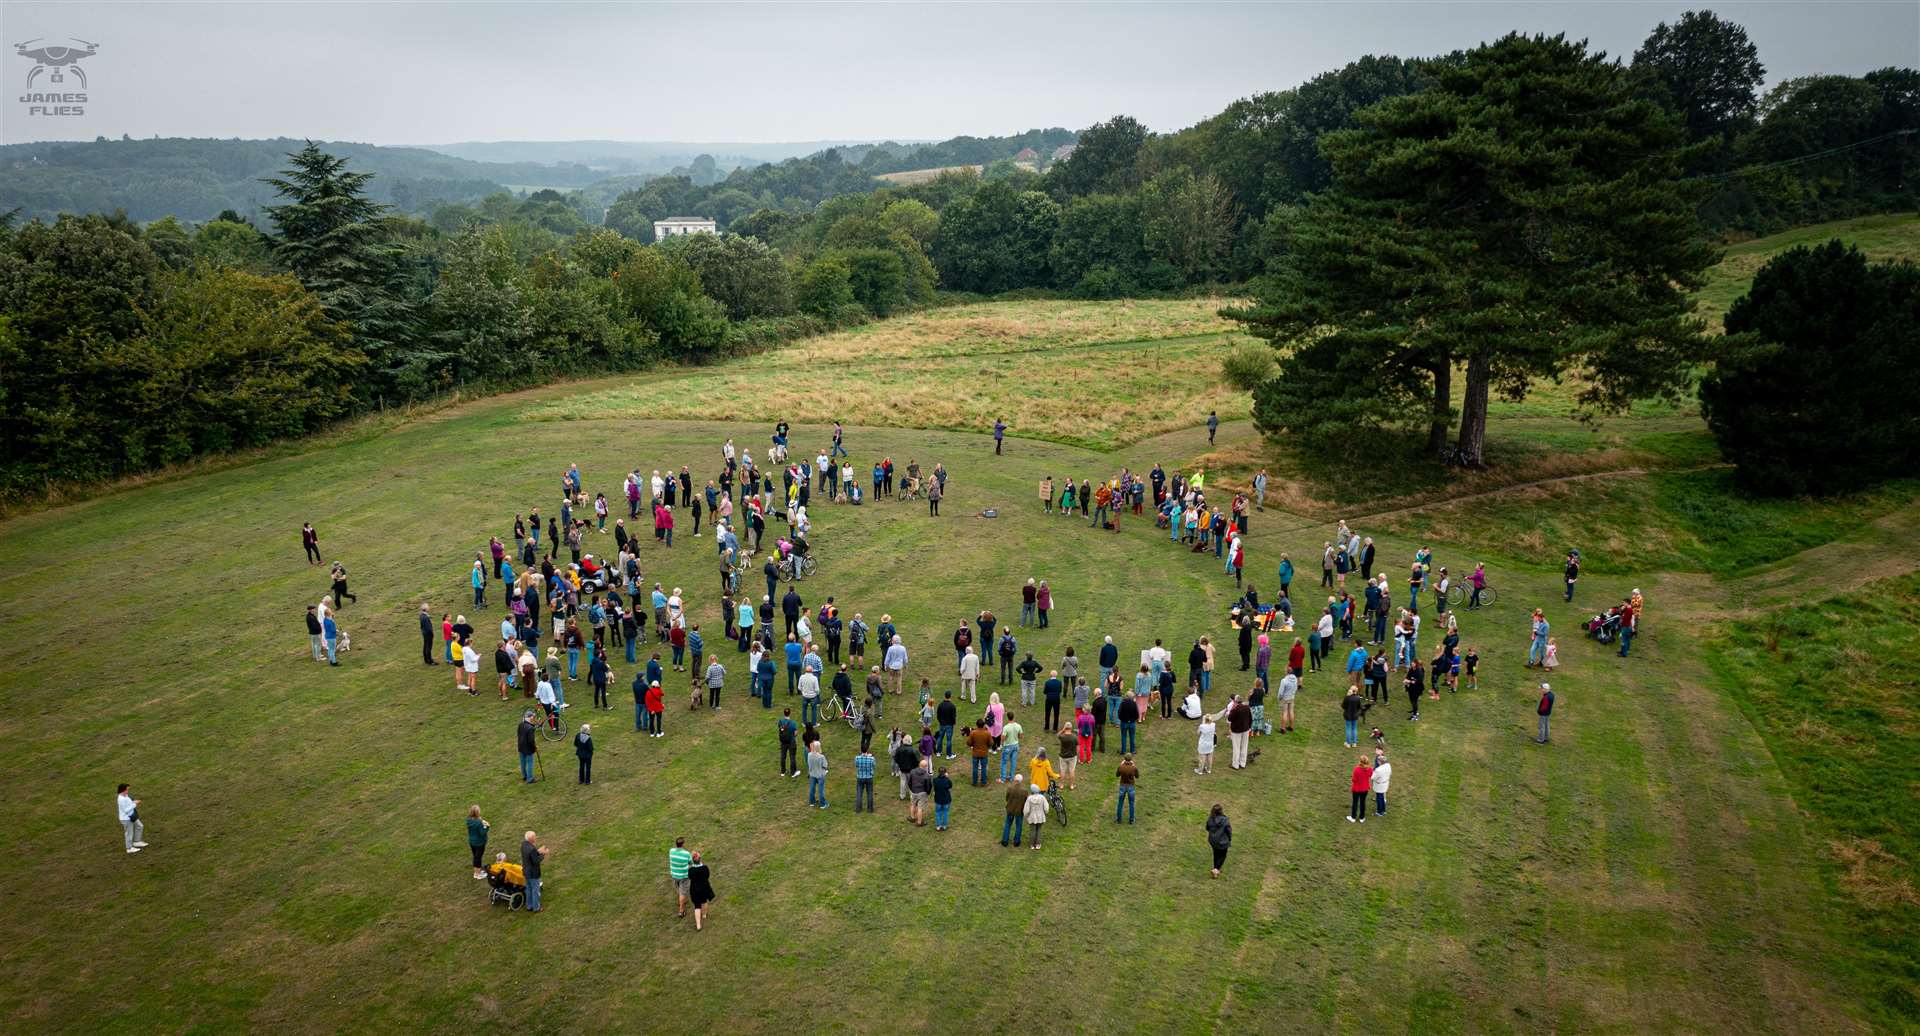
1364	212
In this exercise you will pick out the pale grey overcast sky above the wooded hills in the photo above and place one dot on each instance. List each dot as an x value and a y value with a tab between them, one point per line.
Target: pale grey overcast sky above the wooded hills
427	74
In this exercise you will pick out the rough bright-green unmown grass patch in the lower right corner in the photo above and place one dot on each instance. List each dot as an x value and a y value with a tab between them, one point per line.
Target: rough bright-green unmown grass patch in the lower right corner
1831	686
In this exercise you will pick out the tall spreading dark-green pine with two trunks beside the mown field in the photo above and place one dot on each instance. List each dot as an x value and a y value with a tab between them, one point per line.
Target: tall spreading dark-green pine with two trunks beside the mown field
1520	220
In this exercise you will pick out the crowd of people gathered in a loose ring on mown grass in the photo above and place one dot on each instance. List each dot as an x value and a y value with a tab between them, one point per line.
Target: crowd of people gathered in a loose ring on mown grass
602	607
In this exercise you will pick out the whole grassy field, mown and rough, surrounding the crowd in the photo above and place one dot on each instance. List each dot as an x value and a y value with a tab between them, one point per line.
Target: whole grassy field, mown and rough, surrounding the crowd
1671	862
